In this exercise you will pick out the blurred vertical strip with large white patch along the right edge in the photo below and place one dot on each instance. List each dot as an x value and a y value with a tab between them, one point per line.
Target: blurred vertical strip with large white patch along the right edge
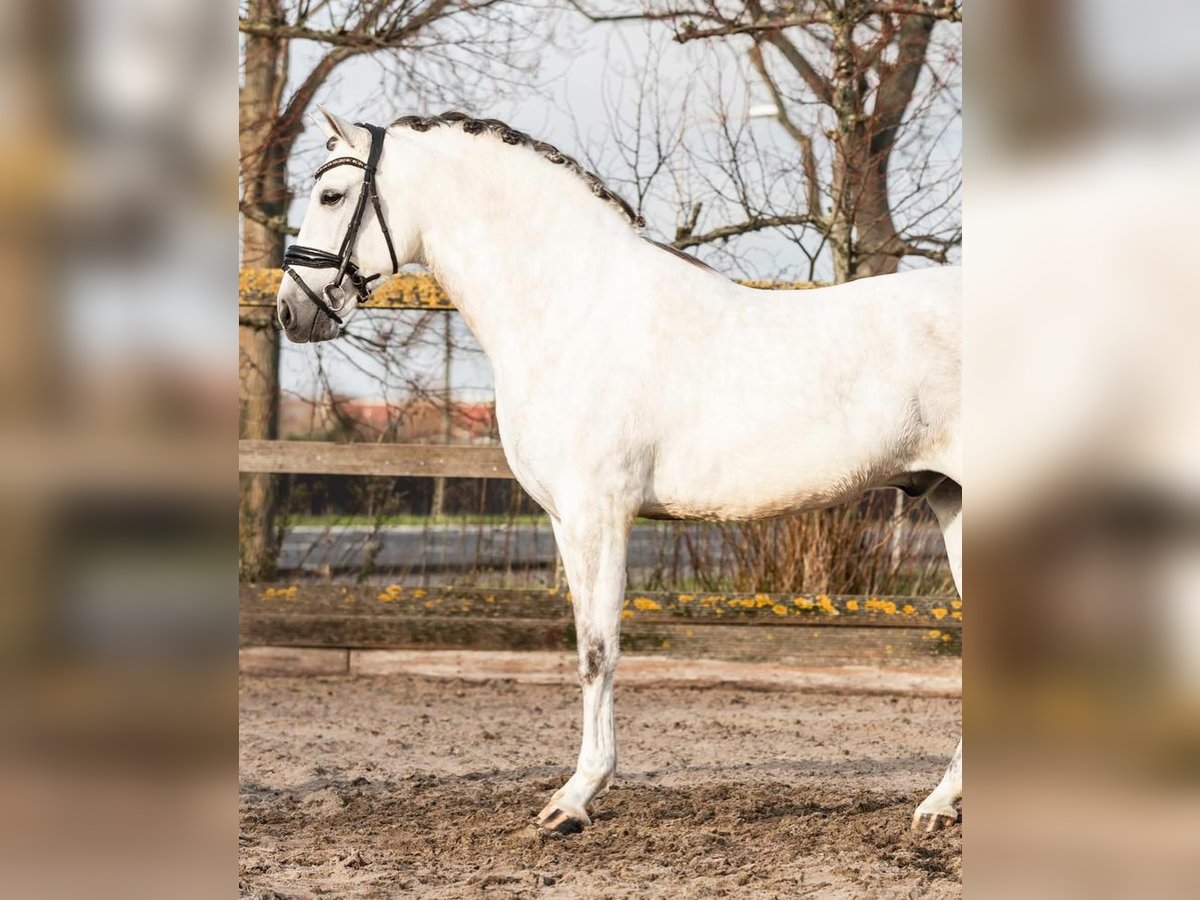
1083	317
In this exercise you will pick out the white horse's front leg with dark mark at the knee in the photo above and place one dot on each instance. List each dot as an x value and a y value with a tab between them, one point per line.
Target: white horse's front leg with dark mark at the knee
593	551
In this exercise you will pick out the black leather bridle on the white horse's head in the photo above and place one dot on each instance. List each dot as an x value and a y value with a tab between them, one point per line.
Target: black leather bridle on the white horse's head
311	259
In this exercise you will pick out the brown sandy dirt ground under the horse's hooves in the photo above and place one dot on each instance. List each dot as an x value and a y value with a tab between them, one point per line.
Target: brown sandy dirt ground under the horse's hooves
409	787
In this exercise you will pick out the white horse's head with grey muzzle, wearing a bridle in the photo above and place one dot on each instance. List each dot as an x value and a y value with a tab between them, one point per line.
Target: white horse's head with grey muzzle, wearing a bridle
350	238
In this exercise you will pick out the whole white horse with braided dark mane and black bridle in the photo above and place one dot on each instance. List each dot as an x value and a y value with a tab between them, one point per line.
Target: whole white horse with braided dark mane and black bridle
632	381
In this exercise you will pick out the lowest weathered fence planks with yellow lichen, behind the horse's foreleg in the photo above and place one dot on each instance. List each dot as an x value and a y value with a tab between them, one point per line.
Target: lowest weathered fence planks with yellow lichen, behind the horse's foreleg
787	628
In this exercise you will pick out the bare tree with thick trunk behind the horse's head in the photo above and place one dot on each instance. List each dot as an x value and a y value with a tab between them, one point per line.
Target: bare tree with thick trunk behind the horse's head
431	49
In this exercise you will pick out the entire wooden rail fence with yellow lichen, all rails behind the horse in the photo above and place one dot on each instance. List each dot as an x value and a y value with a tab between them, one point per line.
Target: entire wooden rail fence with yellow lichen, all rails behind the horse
787	628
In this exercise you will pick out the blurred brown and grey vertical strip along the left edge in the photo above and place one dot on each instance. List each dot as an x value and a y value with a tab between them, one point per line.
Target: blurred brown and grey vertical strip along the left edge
118	183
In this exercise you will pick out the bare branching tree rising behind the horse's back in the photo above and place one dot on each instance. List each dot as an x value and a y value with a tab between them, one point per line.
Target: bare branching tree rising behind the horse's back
856	87
